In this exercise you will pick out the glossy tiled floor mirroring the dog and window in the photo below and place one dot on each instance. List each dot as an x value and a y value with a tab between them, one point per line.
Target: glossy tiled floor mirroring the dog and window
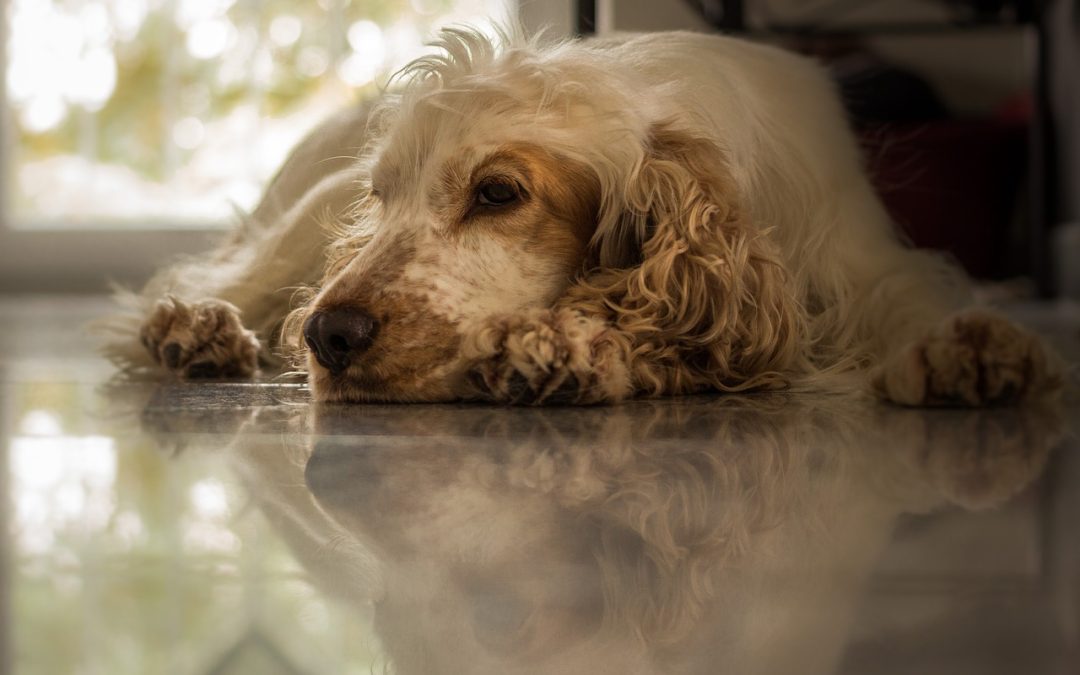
234	529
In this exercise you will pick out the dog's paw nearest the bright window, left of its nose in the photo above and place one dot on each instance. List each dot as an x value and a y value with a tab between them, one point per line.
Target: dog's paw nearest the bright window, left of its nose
202	340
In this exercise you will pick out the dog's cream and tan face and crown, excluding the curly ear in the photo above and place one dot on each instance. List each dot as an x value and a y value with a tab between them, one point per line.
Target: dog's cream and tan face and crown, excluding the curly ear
480	199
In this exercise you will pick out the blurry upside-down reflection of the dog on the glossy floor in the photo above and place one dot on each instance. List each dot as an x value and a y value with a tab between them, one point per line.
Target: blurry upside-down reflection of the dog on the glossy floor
710	536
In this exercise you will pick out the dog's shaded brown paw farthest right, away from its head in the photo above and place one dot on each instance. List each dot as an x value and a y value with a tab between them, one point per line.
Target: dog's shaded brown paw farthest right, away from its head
973	359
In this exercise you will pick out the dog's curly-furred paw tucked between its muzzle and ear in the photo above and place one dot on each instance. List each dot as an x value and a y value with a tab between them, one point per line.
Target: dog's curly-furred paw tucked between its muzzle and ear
547	357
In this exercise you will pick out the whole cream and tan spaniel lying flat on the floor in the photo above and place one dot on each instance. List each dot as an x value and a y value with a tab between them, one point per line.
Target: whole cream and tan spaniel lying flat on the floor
585	222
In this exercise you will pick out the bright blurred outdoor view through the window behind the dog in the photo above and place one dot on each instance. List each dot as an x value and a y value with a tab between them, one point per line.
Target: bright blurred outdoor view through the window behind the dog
152	114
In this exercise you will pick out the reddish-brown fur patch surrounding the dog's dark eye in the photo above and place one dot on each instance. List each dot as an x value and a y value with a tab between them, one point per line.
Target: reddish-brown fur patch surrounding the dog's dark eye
557	211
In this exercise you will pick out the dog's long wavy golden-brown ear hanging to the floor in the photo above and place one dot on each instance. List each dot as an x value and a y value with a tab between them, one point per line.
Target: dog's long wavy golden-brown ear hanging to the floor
698	295
